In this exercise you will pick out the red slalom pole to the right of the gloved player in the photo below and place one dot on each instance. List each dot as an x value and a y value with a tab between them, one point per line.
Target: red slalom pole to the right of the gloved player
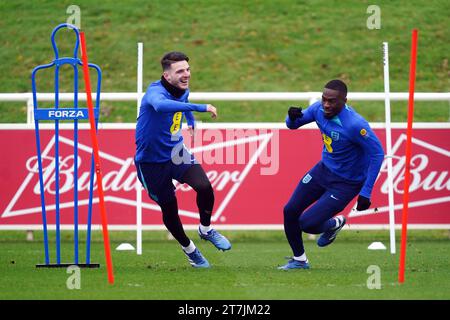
412	78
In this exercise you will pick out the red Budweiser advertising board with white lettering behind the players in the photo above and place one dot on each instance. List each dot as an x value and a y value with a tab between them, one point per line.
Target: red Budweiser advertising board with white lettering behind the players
253	168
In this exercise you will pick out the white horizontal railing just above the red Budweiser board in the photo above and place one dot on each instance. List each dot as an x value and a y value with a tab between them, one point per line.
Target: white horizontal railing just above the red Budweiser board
311	97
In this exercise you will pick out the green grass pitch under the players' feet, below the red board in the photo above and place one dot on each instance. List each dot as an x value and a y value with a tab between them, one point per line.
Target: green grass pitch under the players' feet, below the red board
246	272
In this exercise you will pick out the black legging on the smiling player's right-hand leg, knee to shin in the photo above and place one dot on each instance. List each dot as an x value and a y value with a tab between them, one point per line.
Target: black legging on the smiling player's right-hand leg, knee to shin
196	177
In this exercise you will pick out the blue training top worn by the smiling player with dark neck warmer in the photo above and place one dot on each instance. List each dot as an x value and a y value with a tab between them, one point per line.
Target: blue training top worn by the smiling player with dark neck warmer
158	128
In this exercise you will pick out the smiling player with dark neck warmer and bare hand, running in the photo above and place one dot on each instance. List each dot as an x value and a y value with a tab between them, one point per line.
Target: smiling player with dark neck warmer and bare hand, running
162	156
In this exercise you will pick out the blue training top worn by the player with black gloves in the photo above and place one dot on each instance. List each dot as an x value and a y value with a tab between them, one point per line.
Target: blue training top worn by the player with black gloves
351	149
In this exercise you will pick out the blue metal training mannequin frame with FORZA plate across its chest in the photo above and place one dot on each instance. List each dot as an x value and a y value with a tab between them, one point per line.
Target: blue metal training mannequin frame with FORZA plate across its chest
58	114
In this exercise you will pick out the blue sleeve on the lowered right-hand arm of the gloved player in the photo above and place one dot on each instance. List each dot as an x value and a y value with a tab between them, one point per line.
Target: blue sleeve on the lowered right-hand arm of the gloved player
366	138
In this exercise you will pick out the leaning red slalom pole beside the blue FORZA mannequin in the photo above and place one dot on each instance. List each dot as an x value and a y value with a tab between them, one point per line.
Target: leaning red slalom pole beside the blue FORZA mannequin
95	148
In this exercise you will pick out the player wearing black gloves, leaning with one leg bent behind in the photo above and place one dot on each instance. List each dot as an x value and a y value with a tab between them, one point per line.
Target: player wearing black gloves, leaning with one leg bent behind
351	160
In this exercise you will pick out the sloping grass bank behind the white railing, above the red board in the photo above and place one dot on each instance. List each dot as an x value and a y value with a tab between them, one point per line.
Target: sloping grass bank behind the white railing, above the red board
234	45
